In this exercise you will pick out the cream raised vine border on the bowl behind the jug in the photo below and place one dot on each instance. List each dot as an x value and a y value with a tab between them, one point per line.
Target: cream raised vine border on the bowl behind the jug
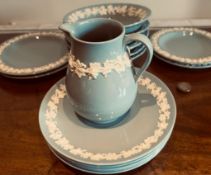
103	10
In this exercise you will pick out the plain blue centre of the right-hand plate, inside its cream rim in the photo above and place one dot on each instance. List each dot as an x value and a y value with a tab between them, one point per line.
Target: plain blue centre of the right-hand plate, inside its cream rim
186	44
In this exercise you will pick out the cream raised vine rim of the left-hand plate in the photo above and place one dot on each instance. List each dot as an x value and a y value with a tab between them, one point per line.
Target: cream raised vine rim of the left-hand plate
4	68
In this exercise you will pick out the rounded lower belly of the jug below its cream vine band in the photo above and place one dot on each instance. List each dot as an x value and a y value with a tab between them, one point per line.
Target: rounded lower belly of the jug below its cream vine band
102	99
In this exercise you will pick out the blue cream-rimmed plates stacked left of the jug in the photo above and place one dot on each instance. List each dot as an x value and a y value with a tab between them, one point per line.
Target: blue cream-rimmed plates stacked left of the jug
33	55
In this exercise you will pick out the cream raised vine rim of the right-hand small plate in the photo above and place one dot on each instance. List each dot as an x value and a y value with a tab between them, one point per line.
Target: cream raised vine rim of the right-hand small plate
191	61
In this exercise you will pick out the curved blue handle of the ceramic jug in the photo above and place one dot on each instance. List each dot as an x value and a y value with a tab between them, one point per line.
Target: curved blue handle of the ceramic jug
145	40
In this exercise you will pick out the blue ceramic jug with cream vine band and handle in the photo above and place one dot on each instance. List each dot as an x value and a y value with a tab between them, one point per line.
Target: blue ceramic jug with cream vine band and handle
100	80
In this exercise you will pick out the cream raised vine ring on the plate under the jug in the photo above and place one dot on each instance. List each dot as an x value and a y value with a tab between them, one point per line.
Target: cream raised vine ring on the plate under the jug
59	139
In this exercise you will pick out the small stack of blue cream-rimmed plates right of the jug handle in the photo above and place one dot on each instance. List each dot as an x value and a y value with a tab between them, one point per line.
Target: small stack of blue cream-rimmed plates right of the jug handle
183	47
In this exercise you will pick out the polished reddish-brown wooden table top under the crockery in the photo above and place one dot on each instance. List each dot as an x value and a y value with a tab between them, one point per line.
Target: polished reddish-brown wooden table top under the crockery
23	150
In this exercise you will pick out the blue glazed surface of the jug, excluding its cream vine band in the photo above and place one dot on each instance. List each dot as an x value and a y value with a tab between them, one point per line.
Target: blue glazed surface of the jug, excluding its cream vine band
104	99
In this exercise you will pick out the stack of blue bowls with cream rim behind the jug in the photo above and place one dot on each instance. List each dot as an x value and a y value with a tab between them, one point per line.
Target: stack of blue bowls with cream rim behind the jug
134	17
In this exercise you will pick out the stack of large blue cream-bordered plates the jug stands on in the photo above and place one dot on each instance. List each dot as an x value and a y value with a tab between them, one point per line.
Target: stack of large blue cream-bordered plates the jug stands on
133	141
